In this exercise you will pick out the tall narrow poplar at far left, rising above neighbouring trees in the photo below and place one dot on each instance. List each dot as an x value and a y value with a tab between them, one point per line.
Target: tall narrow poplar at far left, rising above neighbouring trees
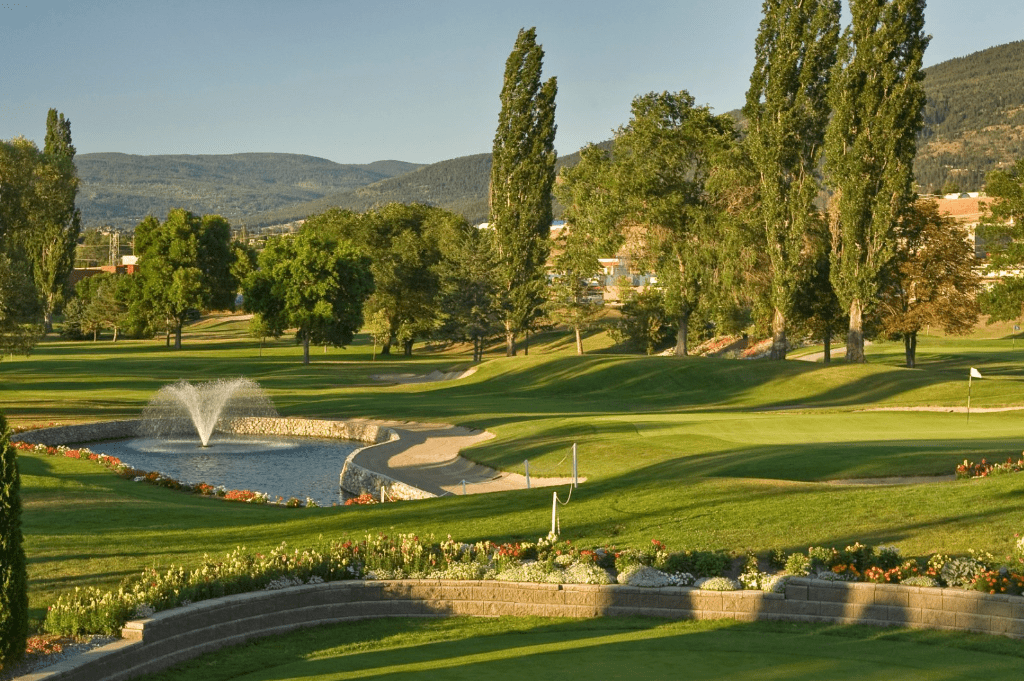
53	245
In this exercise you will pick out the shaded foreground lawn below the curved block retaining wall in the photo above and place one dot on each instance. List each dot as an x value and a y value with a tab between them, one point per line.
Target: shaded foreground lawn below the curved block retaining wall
533	648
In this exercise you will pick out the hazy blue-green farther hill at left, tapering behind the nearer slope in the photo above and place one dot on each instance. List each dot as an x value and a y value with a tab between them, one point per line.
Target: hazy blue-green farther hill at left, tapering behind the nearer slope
120	190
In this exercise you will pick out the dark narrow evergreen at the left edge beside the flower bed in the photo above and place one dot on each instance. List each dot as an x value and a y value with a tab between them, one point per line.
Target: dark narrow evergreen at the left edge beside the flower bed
14	575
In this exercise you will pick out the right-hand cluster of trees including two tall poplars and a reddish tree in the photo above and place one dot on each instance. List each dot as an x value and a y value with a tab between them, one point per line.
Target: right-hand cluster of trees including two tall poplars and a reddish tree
806	221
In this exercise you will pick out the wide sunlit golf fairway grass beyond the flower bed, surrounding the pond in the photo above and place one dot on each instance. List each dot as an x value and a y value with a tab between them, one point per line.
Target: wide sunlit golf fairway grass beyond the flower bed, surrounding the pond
702	454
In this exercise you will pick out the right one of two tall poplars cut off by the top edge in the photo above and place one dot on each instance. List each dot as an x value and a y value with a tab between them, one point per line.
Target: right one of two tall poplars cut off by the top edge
877	97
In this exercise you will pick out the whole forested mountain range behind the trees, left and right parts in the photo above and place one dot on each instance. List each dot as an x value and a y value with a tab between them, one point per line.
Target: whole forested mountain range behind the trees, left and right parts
974	122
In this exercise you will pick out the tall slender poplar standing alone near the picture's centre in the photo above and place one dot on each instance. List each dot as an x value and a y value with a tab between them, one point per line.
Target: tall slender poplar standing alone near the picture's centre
522	176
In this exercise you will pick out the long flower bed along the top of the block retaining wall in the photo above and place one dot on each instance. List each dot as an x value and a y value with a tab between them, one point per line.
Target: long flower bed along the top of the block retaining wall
91	611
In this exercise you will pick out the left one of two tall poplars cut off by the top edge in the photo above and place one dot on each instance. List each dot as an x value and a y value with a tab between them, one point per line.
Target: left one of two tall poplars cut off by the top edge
788	110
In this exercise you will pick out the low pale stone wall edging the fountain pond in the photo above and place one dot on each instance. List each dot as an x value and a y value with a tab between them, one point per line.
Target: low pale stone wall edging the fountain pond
354	479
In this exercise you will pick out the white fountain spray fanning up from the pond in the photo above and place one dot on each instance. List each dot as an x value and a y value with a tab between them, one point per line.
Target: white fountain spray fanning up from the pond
186	409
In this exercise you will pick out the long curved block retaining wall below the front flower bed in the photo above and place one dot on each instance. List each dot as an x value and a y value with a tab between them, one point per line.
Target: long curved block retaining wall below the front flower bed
175	636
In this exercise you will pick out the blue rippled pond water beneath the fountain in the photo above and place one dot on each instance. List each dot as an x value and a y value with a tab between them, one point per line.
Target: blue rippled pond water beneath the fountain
279	466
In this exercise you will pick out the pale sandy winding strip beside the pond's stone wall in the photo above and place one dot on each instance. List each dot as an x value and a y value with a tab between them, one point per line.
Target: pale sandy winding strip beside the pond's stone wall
426	456
